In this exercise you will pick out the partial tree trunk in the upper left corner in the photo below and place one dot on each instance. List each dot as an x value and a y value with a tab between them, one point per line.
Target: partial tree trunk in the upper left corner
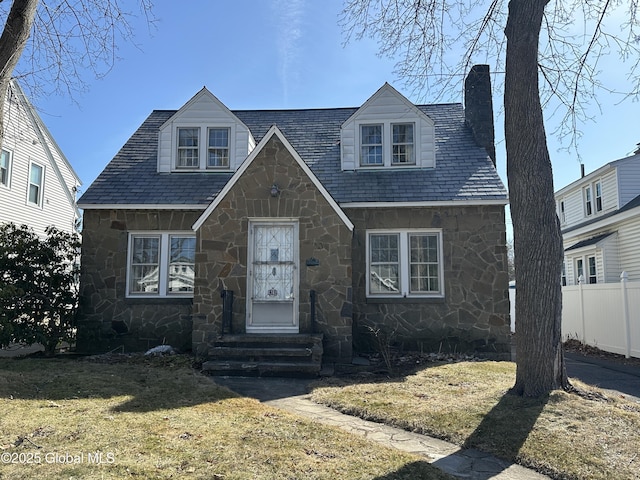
12	42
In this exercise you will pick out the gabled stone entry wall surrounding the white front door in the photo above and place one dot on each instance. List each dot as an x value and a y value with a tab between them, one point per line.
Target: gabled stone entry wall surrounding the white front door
221	255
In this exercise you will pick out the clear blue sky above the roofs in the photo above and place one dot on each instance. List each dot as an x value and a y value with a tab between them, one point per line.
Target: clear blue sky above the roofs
261	55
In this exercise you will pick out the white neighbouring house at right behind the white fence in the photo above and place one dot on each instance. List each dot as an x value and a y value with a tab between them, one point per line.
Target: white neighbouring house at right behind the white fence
600	223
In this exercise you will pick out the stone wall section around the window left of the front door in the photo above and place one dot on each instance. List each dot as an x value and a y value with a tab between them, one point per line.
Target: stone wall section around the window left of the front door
107	319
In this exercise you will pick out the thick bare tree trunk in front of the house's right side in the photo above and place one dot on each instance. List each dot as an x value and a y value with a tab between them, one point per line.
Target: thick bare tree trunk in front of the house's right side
536	231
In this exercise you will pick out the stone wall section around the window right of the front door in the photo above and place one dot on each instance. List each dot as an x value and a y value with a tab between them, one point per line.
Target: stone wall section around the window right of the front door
474	314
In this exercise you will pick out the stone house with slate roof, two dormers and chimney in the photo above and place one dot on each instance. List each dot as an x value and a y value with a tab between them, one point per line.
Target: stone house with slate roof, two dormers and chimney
213	226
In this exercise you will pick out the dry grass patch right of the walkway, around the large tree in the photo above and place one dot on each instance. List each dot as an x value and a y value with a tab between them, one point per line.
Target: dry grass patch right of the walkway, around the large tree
564	435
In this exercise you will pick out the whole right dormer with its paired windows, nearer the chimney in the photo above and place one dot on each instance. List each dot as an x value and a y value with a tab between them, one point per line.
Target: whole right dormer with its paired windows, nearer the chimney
388	132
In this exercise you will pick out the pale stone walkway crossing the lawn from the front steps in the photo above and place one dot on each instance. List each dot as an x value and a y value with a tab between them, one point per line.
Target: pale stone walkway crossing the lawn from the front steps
291	395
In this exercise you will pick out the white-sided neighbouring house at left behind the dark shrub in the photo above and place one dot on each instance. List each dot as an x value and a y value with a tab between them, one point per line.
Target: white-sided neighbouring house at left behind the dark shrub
37	183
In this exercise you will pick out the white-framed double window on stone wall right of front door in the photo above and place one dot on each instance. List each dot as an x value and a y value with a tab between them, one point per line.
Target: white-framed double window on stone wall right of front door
404	263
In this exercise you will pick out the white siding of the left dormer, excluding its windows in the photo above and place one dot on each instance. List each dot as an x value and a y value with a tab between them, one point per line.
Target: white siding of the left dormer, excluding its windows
204	111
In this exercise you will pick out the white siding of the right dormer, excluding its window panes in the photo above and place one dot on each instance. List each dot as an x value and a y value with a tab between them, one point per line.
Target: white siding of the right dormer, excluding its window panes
387	106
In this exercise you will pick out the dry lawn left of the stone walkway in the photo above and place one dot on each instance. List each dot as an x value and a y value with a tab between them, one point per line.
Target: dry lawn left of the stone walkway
159	419
